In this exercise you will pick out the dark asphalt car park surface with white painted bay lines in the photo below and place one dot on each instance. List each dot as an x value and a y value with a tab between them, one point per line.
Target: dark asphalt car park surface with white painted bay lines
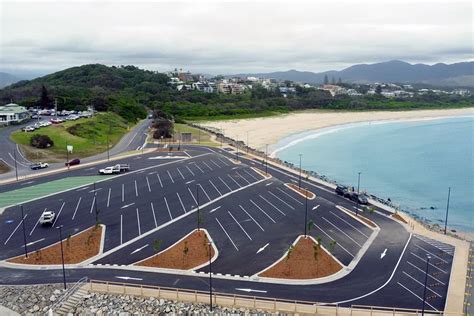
251	219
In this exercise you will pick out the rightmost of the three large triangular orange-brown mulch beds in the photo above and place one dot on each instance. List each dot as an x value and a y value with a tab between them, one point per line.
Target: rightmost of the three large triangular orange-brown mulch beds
302	263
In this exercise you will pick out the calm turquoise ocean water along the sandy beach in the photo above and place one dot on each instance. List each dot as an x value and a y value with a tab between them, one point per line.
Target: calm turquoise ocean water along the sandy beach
411	162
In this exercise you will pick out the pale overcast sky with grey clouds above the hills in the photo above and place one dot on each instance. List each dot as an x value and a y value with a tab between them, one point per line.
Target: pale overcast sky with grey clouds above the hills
232	36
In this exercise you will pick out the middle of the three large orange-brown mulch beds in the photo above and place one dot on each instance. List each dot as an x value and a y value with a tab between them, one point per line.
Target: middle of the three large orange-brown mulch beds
176	256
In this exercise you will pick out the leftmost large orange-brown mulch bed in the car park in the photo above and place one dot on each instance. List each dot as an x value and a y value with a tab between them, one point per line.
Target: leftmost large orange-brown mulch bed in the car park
76	249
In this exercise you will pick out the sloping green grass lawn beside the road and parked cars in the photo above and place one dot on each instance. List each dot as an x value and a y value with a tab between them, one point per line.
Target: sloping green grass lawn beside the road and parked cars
88	136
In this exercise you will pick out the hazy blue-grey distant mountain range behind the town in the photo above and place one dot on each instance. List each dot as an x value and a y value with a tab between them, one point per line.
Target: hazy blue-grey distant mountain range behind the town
458	74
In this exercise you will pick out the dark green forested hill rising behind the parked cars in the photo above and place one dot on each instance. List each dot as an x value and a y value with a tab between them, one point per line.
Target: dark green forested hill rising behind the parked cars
125	90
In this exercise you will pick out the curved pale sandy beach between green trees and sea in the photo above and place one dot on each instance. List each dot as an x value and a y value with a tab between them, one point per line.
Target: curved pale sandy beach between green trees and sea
270	130
